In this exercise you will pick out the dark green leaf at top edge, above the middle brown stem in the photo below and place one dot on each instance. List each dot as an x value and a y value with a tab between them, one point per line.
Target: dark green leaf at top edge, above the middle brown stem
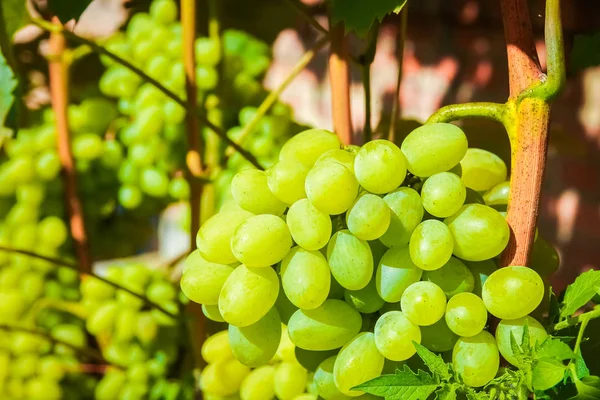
359	15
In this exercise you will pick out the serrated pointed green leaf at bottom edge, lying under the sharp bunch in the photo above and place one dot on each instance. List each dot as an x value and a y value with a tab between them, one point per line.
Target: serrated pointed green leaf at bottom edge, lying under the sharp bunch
404	385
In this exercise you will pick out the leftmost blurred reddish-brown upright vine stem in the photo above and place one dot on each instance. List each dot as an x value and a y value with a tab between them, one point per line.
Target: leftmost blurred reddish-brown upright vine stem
58	71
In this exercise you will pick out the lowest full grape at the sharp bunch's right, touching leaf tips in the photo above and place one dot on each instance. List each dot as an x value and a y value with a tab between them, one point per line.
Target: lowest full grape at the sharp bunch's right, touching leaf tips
476	359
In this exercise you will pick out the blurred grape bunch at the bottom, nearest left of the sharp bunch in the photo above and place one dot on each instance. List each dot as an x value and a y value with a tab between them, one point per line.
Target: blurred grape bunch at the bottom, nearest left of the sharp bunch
142	343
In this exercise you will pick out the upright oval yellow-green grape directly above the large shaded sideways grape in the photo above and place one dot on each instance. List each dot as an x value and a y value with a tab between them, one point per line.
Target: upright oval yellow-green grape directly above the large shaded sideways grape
305	278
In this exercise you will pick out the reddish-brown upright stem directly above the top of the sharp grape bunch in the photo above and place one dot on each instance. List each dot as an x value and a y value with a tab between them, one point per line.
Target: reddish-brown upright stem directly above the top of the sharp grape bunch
339	76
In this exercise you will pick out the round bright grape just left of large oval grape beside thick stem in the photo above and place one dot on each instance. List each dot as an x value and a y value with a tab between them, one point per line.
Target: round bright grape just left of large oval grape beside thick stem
431	245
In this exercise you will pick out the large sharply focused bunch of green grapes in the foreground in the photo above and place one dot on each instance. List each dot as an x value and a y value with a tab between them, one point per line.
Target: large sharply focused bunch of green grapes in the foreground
348	246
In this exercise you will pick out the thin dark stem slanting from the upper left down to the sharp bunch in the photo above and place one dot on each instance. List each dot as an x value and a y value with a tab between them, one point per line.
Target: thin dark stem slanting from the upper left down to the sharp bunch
103	51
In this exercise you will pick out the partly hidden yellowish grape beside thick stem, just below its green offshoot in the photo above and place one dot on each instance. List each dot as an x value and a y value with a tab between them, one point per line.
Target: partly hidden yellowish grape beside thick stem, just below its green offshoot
482	170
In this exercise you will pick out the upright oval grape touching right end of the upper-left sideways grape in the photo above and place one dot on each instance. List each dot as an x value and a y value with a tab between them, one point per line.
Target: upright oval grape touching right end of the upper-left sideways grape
309	227
